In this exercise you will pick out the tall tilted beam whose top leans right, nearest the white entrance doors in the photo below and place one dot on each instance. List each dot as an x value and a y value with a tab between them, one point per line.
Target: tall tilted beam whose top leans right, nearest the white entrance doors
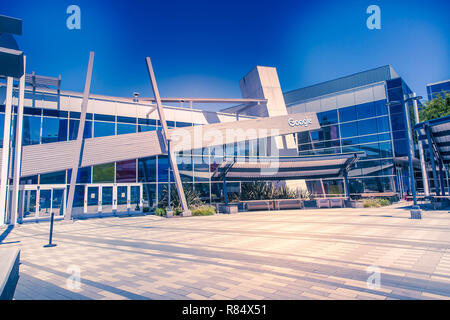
79	141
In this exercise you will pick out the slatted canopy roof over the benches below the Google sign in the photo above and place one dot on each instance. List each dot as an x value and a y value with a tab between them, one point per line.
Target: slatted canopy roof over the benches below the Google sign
285	168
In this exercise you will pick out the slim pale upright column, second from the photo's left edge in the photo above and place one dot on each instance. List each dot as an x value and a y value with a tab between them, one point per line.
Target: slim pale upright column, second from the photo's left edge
15	215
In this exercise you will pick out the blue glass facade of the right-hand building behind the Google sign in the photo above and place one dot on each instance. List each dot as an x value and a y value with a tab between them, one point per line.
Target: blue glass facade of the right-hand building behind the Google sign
370	119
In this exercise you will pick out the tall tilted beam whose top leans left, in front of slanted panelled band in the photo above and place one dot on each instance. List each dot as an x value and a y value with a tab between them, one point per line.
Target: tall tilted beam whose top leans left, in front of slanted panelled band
171	154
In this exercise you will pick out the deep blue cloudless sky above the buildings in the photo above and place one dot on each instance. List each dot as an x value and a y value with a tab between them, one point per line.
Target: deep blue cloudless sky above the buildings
202	48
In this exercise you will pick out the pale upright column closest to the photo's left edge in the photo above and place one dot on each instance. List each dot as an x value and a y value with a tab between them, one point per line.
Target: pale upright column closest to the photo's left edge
6	153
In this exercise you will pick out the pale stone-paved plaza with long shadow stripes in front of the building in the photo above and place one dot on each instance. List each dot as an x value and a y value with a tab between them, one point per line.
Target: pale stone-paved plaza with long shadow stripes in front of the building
291	254
